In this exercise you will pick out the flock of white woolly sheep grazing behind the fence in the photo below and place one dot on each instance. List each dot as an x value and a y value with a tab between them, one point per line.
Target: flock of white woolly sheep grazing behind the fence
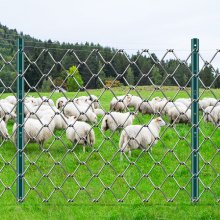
77	116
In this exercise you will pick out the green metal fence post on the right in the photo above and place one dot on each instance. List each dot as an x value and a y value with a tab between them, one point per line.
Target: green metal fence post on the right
195	118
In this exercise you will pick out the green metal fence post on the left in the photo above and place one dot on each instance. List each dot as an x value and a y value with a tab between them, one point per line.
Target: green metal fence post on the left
20	120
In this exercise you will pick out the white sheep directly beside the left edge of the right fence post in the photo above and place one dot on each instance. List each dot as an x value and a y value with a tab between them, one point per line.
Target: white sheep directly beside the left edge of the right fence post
179	114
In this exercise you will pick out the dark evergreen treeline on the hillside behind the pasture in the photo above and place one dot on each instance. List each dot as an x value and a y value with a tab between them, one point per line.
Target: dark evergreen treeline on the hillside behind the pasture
47	66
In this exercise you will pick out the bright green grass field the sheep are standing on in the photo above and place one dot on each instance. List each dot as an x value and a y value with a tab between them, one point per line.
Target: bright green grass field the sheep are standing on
158	177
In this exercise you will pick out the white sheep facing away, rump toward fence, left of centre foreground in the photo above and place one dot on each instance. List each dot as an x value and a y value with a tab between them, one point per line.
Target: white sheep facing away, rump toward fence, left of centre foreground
80	132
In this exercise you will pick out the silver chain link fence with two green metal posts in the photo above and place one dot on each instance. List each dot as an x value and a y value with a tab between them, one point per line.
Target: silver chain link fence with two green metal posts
90	125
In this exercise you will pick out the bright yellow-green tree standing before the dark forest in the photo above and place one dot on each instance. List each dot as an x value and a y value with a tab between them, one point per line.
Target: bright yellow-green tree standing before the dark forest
74	81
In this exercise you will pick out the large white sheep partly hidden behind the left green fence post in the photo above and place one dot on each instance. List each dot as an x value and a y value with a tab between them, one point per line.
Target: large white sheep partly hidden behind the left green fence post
35	130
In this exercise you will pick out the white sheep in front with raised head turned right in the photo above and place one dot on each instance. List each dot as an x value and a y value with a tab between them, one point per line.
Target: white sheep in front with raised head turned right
138	136
